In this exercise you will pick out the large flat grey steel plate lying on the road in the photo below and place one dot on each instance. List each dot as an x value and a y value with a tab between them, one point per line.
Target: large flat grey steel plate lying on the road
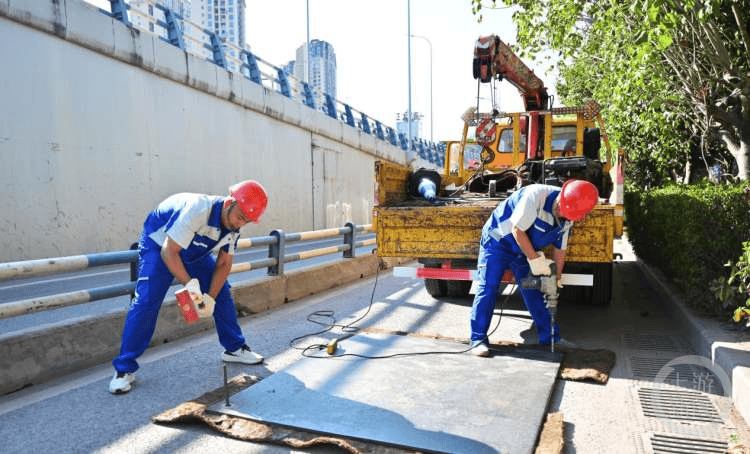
453	403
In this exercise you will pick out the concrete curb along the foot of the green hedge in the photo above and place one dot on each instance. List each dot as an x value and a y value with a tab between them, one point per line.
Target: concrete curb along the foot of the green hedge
727	349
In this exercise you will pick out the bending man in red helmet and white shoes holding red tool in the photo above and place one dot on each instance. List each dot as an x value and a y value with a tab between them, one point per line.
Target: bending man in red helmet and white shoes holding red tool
178	240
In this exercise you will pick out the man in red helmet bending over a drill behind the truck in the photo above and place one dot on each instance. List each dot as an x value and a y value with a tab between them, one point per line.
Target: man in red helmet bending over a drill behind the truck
531	219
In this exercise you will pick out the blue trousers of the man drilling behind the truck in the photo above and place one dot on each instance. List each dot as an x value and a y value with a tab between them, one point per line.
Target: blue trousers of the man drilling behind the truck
494	258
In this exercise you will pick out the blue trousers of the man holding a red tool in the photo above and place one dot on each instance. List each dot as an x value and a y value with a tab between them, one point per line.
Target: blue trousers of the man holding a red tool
154	279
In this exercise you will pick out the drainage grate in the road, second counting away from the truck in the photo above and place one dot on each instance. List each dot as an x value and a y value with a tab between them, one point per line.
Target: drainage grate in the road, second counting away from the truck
683	375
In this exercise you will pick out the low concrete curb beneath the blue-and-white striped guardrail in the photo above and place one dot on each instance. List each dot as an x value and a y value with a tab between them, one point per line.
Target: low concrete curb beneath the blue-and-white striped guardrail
39	354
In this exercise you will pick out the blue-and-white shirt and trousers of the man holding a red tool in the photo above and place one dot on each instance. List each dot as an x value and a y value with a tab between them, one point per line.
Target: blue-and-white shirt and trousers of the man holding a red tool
194	222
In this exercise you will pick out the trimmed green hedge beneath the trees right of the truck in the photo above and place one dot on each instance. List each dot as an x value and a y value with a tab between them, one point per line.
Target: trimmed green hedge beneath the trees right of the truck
689	233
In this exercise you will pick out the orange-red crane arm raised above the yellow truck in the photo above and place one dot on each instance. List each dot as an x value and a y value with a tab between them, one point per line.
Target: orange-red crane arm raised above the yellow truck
495	59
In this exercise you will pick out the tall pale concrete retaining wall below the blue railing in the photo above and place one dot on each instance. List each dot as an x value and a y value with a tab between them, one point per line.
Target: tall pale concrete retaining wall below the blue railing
99	122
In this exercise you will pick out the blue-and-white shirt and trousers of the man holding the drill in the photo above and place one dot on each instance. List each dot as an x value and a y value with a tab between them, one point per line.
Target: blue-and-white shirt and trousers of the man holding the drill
529	208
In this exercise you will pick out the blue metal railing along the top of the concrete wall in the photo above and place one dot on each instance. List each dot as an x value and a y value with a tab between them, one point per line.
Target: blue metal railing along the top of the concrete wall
191	37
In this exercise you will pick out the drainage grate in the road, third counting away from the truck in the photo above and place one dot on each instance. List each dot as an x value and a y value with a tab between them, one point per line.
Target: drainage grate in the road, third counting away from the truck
678	404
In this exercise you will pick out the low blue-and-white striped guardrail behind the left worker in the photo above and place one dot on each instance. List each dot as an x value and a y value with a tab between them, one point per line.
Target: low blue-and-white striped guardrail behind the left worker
277	257
